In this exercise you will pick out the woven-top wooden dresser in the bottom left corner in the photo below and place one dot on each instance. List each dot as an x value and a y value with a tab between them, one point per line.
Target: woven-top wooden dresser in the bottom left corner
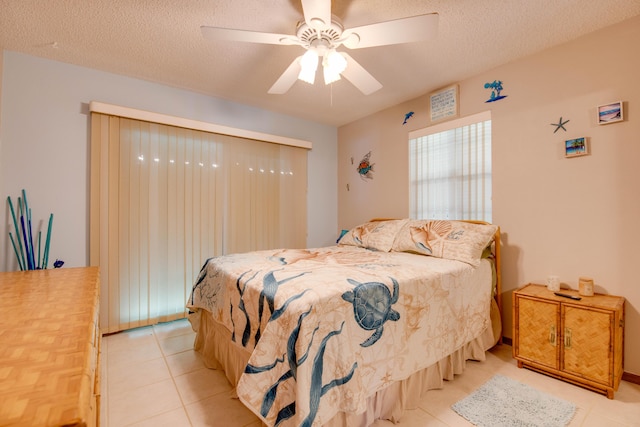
50	347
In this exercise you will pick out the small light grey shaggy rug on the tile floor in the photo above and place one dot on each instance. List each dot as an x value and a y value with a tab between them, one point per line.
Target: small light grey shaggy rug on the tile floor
502	401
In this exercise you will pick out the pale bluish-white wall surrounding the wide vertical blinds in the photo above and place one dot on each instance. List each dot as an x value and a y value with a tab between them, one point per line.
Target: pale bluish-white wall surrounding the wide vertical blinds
44	147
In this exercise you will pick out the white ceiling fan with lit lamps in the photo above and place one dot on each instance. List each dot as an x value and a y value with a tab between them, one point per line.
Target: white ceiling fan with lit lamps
321	34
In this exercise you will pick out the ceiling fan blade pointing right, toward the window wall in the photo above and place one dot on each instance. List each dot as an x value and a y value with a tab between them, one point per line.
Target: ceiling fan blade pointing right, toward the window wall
405	30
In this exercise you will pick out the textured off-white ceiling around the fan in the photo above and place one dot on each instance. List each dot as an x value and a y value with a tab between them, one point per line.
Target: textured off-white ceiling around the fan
160	41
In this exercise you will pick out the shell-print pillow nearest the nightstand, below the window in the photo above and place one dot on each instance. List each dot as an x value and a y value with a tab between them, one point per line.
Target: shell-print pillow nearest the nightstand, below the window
456	240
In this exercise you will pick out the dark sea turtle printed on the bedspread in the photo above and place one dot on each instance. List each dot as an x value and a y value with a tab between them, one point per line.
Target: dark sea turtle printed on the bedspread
372	303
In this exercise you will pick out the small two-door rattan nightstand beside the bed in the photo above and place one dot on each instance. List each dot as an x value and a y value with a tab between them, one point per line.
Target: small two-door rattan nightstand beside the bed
576	341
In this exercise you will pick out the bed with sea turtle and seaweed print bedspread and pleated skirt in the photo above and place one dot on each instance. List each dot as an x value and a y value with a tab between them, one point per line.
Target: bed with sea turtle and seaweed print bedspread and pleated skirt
347	334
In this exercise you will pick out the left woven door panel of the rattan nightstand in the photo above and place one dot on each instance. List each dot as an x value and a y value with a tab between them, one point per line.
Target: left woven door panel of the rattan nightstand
539	331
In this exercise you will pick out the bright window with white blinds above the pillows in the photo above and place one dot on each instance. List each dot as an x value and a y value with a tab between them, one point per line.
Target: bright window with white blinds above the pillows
450	170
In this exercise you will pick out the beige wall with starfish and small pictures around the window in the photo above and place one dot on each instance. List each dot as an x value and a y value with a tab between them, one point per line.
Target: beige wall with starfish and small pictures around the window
567	217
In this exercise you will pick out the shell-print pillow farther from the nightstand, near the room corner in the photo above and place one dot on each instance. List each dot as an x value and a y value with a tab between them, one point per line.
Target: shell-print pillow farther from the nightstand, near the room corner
376	235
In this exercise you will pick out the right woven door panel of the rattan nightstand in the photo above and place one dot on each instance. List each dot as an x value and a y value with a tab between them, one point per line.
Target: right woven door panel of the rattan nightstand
588	350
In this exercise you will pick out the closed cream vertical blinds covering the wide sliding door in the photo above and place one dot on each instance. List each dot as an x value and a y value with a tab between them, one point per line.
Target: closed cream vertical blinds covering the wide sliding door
164	199
